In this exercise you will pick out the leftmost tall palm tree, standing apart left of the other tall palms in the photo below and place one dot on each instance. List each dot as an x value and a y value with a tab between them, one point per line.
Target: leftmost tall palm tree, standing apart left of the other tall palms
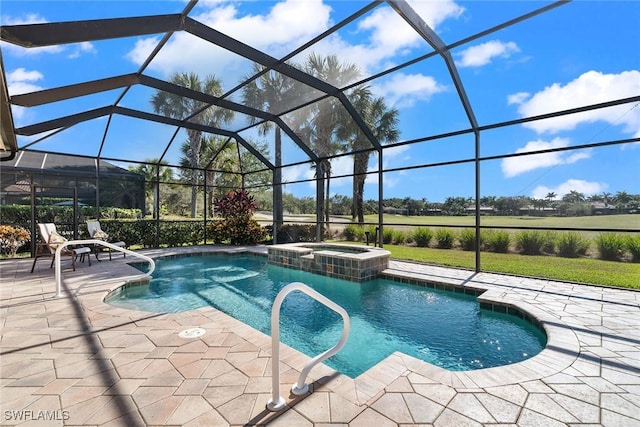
179	107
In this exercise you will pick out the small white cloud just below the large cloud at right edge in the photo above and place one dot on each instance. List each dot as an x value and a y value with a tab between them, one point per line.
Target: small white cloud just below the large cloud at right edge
513	166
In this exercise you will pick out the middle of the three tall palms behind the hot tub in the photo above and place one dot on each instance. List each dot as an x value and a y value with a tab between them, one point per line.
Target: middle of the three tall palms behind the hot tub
322	119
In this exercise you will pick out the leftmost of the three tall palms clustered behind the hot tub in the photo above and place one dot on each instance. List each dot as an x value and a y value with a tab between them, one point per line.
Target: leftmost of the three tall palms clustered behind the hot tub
271	92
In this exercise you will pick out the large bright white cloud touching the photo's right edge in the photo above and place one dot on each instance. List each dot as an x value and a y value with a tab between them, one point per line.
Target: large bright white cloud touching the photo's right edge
591	87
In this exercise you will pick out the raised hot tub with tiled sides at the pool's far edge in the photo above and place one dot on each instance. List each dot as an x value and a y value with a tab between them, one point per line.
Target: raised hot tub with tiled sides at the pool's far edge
355	263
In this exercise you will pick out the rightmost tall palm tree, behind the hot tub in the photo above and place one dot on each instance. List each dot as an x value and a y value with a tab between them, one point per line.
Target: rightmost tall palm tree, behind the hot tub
382	121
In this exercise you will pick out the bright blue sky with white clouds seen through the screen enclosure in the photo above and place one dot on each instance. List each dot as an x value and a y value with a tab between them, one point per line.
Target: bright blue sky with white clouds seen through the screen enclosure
577	54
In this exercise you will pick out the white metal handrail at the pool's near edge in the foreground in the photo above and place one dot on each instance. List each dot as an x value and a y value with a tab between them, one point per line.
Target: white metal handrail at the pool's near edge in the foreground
277	403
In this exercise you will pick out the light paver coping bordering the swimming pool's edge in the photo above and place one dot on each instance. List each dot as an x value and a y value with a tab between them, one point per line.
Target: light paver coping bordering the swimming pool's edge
561	350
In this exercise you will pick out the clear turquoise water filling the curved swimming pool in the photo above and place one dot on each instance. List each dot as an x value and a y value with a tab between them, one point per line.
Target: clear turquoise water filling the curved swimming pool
443	328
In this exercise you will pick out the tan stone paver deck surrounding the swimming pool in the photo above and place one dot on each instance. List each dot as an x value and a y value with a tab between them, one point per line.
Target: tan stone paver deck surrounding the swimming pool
101	365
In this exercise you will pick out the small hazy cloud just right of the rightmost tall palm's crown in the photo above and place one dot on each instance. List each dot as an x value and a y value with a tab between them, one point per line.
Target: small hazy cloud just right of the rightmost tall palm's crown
403	90
